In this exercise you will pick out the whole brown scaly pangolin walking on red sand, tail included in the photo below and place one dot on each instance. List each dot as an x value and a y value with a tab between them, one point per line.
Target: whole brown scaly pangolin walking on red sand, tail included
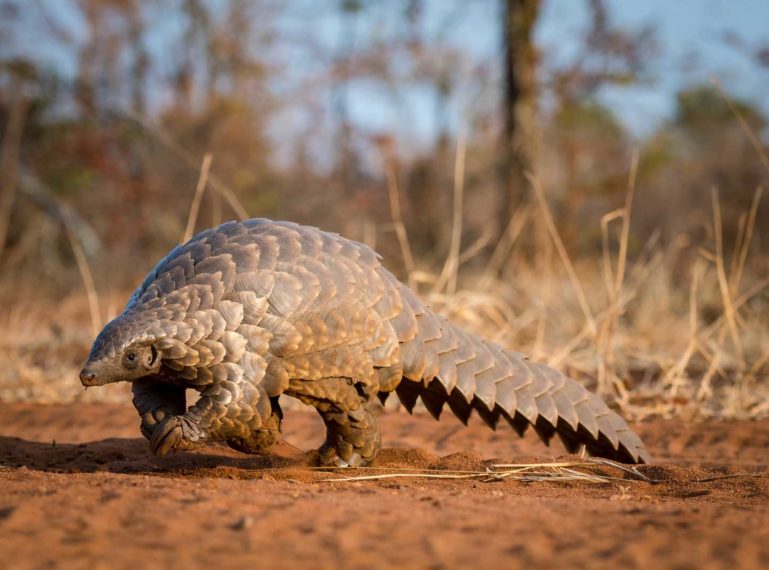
250	310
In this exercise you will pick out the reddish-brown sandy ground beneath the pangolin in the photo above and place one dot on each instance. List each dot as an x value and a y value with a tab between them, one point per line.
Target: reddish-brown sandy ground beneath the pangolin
79	489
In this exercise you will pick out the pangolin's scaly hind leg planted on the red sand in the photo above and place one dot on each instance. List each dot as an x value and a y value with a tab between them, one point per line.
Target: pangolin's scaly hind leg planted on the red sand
352	430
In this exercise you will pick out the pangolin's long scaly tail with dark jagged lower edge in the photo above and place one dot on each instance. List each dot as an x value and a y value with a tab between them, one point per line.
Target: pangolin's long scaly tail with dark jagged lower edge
442	364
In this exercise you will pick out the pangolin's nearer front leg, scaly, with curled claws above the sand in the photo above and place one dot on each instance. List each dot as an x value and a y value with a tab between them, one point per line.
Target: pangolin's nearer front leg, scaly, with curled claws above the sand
226	411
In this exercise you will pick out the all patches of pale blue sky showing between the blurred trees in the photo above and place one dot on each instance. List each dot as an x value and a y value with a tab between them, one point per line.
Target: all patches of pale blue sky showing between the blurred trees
691	36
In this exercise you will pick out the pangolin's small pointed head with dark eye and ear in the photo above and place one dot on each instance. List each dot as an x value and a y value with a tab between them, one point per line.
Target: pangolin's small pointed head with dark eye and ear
125	350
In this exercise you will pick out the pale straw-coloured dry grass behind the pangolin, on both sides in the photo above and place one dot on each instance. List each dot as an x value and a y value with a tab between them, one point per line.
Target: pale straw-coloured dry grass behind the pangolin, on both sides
675	331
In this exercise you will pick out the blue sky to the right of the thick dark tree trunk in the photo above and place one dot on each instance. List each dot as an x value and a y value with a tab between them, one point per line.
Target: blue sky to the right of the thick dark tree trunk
692	38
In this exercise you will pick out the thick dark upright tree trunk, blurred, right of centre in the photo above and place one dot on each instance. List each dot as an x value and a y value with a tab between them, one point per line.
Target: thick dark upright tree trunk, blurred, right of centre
519	144
